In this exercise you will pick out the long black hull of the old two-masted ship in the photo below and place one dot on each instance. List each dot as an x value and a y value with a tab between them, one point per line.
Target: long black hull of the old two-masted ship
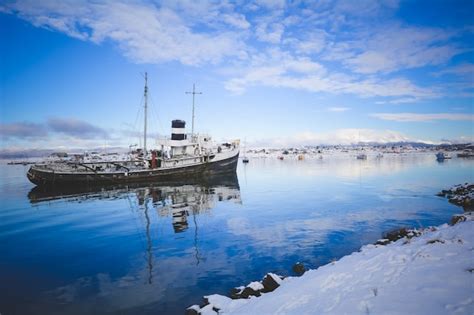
41	177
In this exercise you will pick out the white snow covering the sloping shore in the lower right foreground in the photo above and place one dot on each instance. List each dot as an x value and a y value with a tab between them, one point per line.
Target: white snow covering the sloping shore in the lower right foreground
429	274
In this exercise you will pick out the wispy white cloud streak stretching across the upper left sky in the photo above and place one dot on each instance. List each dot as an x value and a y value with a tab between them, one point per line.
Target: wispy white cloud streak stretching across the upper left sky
144	32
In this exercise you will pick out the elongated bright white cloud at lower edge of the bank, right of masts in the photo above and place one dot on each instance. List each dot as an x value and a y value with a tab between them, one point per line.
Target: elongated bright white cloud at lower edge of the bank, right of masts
277	69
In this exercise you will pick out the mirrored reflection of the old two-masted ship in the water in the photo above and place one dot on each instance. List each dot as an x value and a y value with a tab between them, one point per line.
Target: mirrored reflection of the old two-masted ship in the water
178	200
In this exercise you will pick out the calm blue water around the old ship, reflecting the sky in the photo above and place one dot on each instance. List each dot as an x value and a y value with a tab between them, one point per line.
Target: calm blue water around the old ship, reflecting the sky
157	250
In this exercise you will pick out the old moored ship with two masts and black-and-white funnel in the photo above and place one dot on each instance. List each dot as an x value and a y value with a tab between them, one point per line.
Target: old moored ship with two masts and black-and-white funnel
182	156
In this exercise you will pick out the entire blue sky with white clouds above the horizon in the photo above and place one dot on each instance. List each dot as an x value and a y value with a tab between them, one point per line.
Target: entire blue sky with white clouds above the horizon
271	72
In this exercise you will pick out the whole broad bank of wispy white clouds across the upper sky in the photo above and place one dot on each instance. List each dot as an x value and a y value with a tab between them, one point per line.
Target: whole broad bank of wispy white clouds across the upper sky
309	52
